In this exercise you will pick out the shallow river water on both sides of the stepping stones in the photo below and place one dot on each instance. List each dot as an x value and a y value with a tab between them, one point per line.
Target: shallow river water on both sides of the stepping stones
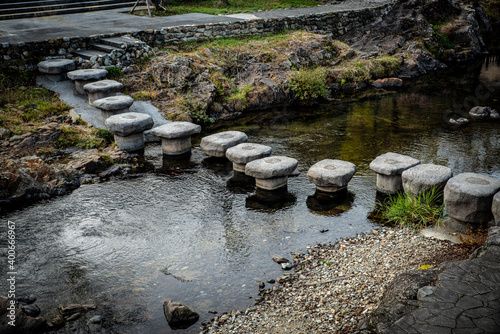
181	233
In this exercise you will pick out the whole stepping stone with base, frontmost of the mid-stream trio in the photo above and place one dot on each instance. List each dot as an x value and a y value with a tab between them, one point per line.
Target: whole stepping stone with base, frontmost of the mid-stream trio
271	173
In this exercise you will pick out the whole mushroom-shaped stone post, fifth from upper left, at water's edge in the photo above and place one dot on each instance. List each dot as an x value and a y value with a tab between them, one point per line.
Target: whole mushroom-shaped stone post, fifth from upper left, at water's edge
128	130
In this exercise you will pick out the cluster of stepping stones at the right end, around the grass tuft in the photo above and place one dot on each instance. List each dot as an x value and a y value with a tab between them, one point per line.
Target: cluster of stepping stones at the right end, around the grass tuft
468	197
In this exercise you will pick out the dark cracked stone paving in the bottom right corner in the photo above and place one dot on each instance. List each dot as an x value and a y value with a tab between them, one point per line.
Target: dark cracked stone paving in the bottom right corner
467	300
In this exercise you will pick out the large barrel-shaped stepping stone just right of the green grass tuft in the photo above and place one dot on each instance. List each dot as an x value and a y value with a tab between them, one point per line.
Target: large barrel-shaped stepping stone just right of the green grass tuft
468	197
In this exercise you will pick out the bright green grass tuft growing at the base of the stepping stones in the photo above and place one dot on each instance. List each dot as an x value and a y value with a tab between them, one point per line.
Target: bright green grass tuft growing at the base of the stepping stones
414	211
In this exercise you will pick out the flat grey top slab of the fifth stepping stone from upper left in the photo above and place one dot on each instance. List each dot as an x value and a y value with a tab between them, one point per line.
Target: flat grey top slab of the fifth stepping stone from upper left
129	123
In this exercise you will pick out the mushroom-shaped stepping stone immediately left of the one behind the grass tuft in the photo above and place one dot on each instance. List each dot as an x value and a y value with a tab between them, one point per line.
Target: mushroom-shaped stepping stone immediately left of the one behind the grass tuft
389	167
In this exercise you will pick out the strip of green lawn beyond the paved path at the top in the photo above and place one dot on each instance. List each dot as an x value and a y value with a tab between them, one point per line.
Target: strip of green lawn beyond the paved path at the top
234	6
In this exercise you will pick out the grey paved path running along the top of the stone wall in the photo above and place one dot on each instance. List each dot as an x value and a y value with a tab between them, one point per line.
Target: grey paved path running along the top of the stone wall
119	21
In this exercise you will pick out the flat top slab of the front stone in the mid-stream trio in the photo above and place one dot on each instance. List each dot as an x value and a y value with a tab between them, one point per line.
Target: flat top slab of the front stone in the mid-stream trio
271	167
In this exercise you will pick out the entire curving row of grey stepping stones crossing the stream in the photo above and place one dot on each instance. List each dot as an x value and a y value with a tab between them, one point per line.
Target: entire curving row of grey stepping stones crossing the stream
468	197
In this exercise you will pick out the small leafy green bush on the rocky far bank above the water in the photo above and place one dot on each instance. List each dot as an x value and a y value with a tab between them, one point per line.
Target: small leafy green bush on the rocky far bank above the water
309	84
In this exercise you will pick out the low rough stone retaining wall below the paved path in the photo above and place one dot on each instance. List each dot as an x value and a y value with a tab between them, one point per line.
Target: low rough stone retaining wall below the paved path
335	24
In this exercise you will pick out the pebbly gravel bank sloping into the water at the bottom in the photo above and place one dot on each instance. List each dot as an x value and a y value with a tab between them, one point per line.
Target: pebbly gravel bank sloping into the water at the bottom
335	286
